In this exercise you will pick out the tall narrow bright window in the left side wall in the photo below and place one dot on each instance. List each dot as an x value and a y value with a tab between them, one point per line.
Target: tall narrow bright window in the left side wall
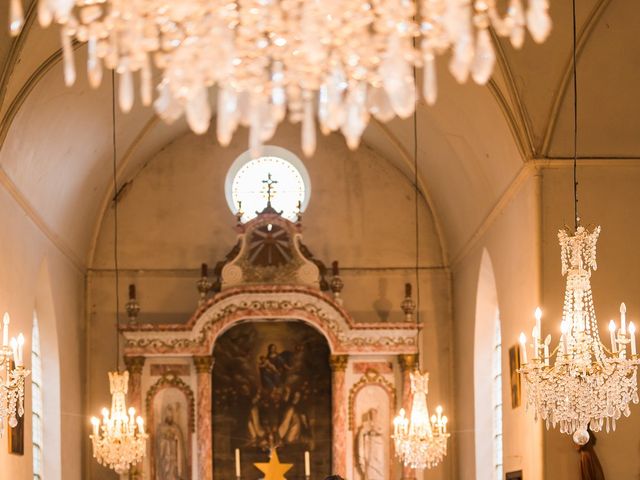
36	399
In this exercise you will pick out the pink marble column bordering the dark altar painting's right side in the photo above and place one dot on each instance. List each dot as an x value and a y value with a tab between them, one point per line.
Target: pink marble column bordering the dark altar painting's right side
339	414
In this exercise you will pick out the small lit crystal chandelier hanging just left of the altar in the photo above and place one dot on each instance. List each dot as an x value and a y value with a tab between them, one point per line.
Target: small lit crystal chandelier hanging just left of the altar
119	440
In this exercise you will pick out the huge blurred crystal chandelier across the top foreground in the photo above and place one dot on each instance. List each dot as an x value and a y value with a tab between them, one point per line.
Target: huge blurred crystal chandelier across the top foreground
339	61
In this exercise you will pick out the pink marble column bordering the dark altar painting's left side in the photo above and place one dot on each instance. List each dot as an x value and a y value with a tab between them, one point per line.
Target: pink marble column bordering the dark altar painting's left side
203	366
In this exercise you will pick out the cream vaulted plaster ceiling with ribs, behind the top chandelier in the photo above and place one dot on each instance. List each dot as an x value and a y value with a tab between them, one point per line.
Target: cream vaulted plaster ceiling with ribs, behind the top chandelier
56	145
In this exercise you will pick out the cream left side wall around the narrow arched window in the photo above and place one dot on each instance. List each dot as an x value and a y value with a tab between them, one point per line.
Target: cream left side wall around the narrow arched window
35	275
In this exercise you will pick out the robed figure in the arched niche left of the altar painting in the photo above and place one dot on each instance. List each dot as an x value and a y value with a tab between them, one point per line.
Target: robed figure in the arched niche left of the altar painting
170	447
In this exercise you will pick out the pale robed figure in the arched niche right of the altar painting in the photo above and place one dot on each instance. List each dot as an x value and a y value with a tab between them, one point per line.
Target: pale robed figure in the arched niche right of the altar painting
370	447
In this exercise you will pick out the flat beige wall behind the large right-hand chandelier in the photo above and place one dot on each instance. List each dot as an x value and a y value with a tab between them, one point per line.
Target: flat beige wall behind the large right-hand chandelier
609	196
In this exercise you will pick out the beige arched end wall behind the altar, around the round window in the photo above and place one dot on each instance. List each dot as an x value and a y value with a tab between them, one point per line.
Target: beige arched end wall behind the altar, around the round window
173	216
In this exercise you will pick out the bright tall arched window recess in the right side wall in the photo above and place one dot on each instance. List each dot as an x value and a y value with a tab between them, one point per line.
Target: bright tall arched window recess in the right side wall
487	322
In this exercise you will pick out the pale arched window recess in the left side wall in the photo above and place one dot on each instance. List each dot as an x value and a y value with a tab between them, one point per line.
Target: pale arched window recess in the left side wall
51	411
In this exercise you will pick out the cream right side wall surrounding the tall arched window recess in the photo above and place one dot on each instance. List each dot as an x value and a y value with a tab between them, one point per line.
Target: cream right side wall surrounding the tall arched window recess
511	243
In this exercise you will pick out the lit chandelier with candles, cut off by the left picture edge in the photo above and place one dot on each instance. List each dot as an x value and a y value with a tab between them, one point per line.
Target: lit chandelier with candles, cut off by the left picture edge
12	377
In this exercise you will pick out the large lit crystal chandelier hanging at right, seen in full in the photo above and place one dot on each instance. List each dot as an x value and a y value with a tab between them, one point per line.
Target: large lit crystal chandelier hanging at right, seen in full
587	386
